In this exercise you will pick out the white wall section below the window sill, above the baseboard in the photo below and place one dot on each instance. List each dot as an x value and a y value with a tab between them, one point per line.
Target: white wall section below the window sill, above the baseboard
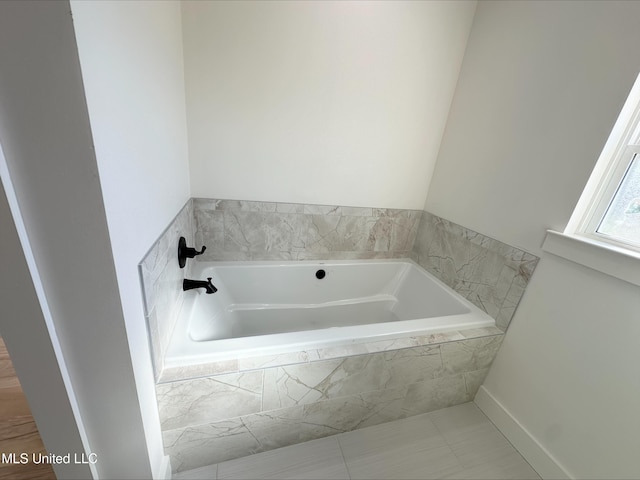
568	370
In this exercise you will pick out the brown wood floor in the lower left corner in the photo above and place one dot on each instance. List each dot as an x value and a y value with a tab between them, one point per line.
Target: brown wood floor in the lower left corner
18	431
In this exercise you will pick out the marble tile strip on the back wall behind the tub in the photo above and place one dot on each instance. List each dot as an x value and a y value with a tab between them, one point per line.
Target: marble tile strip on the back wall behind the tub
249	230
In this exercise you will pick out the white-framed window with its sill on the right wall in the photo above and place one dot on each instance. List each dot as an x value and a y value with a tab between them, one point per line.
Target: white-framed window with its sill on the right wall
604	230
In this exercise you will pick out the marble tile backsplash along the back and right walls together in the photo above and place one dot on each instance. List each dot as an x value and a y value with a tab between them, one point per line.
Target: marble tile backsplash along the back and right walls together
489	273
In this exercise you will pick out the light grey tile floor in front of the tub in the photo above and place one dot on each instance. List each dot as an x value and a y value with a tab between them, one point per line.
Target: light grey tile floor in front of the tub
455	442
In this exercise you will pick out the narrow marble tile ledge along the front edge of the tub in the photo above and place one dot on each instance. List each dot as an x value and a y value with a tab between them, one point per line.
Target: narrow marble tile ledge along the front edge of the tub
239	365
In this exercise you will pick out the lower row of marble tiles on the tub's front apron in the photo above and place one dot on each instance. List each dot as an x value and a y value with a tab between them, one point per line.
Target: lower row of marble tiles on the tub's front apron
196	446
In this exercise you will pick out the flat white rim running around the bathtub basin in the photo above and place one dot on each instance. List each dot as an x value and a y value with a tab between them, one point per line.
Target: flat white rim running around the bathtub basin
348	338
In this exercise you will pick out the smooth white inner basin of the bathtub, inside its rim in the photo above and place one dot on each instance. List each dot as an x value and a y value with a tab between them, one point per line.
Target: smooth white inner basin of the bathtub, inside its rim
266	298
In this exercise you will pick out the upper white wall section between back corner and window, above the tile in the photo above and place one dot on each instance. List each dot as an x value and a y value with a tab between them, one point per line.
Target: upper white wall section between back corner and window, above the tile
539	91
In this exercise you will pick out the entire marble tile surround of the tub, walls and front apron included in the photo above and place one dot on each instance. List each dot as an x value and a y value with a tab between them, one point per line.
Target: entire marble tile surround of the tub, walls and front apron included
253	405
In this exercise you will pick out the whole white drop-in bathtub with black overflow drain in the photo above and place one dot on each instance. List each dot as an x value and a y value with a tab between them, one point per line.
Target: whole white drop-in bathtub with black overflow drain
268	308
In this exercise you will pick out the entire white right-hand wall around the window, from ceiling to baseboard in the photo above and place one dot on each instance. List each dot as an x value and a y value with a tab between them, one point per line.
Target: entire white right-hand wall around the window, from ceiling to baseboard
540	88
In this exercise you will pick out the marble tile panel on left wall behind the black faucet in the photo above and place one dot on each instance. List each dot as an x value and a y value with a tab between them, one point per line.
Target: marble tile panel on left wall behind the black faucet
161	280
